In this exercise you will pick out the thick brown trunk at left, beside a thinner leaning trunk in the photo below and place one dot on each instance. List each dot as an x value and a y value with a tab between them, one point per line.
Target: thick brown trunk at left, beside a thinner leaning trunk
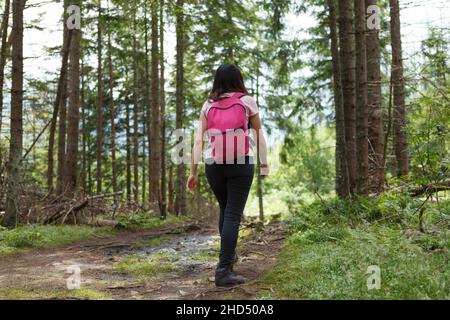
73	115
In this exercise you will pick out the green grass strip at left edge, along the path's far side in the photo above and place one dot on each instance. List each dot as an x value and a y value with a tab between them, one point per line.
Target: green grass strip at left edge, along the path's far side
38	236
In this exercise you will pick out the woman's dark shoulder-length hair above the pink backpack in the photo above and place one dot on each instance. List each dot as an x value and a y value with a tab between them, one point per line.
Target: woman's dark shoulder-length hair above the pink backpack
228	79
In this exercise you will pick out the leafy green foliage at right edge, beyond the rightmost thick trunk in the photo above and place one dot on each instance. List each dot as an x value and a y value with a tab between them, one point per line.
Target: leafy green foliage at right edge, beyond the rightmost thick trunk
429	134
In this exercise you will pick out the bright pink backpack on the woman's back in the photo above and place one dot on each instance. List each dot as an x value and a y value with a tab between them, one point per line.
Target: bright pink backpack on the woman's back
228	129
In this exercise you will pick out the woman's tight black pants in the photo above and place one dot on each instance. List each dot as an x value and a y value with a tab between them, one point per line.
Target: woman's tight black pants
231	185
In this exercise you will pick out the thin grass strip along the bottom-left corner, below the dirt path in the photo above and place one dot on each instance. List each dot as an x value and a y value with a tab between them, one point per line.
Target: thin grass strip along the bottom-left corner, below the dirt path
31	294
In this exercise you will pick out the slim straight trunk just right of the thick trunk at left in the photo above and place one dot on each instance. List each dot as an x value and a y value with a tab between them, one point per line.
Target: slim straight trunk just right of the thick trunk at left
99	104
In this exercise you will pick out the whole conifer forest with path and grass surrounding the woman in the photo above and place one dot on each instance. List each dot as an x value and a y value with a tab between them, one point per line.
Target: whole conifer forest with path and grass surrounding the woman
99	99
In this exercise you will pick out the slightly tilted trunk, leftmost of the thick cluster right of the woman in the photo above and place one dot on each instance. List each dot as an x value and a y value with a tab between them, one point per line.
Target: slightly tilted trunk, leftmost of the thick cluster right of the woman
342	184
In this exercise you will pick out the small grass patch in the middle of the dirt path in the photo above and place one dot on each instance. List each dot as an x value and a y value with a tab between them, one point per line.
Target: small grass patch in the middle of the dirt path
143	266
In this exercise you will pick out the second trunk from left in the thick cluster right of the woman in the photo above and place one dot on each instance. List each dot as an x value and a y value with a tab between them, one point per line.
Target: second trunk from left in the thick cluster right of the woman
347	61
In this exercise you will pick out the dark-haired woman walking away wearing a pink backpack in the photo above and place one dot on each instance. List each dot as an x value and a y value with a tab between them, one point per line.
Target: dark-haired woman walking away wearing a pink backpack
225	119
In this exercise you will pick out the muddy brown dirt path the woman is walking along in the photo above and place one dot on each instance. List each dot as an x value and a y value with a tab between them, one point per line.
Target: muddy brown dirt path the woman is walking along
174	262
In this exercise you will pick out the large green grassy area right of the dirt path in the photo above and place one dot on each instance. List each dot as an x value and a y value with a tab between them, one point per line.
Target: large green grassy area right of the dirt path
329	251
